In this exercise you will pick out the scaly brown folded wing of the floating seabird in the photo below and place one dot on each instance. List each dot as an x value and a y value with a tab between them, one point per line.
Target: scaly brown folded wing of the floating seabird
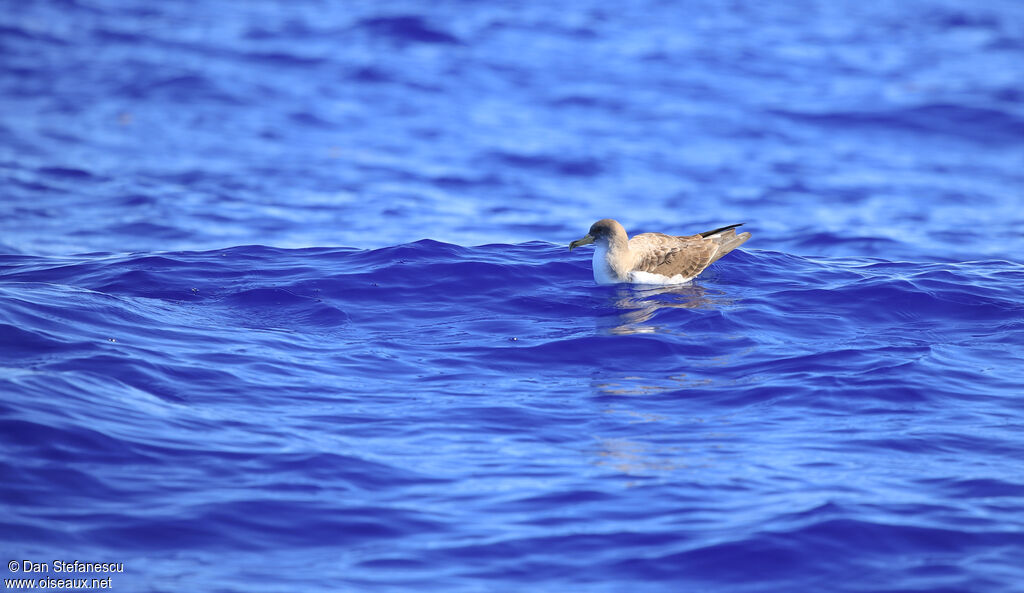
666	256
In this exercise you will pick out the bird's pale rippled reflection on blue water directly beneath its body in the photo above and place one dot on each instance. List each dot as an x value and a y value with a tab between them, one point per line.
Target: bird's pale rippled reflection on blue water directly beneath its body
639	304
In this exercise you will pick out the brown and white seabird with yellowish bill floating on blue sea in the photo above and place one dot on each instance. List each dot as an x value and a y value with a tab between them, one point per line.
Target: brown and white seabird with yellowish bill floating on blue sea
654	258
